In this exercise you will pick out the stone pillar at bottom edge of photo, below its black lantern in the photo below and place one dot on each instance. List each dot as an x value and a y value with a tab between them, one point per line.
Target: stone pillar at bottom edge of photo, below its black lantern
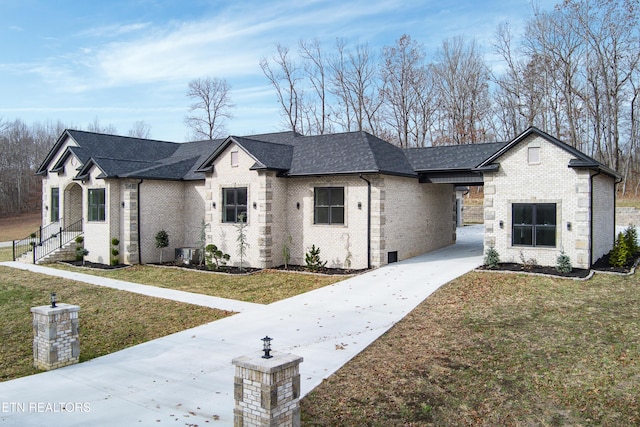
267	391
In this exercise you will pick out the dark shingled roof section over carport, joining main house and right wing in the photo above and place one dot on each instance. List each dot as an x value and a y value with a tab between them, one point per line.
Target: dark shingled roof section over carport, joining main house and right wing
451	157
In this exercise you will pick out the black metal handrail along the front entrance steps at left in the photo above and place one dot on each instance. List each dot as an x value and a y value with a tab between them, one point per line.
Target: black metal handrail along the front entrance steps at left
46	240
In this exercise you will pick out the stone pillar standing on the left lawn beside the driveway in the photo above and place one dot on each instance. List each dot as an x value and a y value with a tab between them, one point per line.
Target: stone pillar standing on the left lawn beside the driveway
55	336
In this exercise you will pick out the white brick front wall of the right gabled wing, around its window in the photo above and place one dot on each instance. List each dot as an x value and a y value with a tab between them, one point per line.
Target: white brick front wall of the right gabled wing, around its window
549	181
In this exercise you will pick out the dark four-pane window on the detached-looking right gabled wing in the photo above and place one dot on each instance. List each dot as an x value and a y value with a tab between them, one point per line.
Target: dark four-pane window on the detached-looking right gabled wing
534	224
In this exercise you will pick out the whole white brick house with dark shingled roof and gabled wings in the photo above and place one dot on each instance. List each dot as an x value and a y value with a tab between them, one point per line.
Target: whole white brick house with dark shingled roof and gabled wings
363	201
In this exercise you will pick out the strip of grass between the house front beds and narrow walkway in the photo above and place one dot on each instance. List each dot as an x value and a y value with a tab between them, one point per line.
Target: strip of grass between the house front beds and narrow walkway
262	288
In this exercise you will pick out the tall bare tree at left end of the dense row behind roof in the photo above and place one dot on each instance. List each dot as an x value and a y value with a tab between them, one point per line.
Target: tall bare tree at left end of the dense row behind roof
285	80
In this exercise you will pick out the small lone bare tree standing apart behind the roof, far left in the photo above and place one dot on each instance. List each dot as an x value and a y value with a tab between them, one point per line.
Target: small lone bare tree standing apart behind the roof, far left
210	108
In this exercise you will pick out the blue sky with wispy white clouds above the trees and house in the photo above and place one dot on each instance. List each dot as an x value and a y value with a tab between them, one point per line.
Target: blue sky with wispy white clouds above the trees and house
124	61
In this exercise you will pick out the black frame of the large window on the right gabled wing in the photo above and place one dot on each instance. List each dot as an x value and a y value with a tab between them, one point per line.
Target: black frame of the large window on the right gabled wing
536	230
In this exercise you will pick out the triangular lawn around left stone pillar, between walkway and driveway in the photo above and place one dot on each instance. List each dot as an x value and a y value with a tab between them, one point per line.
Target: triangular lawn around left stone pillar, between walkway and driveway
110	320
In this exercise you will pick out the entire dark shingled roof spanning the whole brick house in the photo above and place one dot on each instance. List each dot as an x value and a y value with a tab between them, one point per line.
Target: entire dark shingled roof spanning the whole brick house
288	153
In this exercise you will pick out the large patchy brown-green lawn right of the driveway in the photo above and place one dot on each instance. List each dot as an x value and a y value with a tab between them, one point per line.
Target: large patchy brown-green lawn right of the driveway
491	349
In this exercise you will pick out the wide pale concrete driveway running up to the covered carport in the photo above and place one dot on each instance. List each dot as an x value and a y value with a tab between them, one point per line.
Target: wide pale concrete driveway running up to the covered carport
187	378
